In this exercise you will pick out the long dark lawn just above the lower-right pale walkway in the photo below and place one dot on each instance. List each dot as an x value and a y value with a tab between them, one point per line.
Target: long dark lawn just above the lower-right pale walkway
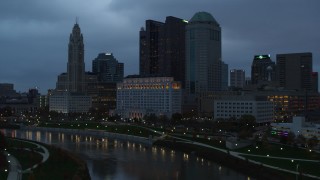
286	151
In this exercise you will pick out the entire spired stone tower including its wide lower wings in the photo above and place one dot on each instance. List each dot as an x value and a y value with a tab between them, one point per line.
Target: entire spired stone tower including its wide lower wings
71	87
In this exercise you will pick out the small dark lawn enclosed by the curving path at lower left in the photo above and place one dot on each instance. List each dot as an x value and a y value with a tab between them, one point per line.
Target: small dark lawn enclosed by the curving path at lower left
26	158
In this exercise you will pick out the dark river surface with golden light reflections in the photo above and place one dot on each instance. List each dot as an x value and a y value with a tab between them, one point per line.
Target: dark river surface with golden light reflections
114	159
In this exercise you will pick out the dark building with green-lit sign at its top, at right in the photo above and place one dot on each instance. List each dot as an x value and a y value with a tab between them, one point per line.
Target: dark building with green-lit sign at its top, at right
263	69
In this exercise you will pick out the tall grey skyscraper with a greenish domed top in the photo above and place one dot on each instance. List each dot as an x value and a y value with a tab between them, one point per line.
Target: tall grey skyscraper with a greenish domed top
203	54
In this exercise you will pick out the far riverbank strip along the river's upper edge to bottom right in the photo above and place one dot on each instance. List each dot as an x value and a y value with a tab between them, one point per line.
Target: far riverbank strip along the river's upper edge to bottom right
234	160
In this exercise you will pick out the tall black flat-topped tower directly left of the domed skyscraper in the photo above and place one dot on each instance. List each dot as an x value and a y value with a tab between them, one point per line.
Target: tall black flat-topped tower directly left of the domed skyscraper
162	48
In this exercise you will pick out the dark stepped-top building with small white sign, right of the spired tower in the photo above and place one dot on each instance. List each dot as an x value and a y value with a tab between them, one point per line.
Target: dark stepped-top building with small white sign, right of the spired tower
107	68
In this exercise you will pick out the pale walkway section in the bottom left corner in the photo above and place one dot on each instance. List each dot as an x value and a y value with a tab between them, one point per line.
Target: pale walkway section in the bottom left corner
15	167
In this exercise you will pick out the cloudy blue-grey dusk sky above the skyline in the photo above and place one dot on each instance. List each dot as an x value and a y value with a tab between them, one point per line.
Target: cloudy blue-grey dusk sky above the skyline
34	34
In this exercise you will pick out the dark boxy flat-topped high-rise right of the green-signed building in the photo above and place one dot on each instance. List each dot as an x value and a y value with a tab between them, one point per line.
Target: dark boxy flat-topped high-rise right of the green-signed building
295	71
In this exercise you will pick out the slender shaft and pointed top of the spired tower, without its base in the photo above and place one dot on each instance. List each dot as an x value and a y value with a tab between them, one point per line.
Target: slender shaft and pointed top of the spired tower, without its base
76	66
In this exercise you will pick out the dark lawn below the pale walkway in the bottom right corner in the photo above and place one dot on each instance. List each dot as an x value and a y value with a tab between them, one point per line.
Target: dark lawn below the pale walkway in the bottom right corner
305	167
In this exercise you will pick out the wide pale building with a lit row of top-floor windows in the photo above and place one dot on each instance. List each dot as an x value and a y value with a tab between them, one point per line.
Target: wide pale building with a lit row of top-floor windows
137	97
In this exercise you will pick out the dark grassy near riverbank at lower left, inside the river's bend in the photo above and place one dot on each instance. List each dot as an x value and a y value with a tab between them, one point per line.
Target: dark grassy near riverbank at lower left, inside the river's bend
58	164
